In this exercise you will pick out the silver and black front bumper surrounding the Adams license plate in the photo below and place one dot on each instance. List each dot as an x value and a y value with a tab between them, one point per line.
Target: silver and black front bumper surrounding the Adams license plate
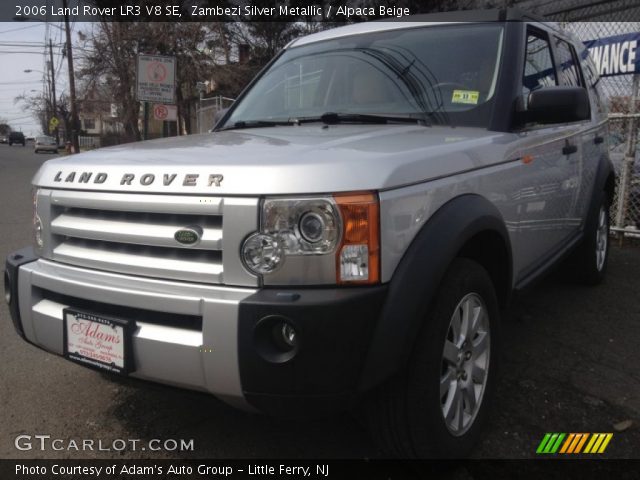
210	338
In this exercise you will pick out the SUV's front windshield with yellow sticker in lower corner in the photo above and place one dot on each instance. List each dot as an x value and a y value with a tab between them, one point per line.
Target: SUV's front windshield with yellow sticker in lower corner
445	73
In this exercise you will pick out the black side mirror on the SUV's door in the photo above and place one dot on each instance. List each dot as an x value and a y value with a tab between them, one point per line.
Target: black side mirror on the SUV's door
558	105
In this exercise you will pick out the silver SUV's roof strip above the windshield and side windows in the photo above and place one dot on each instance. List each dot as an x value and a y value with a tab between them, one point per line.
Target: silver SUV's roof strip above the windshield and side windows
412	21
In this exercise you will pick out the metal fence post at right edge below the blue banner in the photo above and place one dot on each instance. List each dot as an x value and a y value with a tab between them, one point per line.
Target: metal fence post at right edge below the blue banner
624	183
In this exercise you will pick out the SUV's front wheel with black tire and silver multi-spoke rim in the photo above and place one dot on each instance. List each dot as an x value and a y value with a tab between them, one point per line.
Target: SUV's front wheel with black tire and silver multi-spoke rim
412	417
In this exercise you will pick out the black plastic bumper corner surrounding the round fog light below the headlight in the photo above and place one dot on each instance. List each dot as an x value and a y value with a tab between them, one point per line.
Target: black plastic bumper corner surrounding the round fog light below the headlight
321	371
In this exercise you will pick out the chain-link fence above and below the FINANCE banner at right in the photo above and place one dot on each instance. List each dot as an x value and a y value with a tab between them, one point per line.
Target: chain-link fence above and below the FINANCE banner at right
621	94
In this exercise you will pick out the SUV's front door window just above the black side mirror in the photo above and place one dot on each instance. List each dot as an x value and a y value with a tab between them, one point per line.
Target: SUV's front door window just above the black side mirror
538	66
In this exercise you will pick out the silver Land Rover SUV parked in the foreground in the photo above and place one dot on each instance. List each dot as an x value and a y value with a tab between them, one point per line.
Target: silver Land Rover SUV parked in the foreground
353	228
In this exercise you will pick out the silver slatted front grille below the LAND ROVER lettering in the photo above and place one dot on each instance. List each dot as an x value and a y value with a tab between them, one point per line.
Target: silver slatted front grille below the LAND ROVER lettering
134	234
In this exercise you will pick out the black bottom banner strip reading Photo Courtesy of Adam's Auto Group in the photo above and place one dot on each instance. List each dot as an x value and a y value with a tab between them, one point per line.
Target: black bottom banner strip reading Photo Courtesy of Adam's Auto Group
256	469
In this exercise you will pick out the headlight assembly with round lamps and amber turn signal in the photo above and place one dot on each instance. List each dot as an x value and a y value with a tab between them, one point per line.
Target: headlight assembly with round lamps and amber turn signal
323	240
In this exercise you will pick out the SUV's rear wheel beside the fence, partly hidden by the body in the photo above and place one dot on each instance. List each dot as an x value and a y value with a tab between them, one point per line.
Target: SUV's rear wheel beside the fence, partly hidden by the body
588	264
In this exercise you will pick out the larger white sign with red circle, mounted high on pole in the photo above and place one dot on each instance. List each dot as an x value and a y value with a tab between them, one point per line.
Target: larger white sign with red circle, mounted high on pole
156	79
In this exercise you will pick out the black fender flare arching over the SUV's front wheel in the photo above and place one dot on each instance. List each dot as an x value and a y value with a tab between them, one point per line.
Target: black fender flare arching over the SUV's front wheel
418	276
